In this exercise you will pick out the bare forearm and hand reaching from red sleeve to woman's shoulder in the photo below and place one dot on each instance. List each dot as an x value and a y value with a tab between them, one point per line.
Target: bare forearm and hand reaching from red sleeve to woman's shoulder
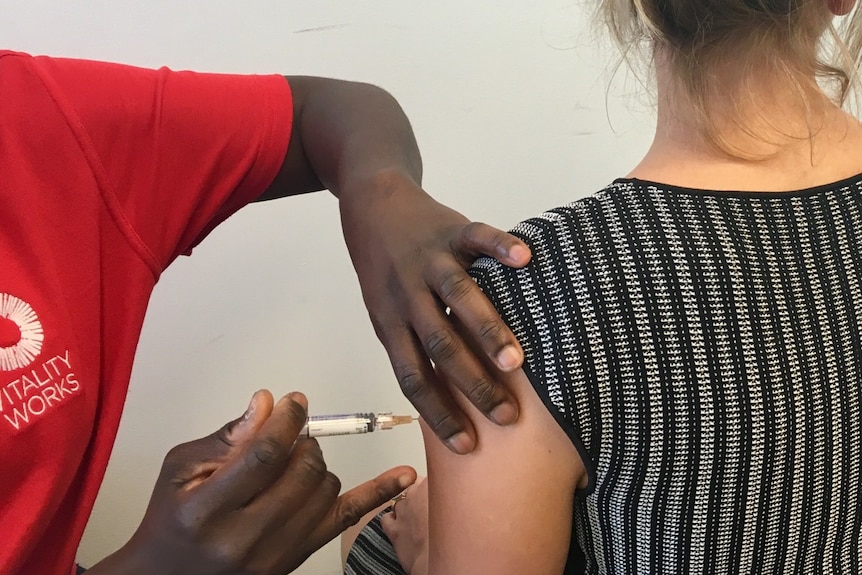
409	251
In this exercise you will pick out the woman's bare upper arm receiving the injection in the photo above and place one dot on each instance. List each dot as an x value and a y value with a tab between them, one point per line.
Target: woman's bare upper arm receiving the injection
507	507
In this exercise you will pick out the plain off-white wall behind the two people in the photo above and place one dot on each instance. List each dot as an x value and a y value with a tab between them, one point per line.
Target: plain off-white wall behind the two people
508	100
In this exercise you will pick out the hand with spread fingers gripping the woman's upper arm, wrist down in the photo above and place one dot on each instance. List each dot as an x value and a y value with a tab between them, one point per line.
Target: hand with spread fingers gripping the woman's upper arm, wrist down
410	254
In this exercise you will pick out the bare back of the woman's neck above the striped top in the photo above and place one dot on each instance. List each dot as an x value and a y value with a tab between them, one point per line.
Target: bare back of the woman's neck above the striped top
768	138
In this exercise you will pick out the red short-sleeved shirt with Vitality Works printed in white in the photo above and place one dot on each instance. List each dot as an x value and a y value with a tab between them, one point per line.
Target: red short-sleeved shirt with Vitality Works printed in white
107	174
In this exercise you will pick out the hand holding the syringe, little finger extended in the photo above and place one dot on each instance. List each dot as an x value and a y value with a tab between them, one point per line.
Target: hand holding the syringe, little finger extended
250	498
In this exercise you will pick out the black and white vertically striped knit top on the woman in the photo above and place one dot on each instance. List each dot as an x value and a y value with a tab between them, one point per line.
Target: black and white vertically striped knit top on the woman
702	350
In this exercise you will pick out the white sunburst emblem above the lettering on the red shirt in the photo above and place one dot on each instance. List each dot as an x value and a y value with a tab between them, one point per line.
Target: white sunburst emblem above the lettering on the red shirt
21	333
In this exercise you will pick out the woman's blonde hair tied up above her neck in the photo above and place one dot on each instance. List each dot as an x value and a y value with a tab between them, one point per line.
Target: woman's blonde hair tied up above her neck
794	38
